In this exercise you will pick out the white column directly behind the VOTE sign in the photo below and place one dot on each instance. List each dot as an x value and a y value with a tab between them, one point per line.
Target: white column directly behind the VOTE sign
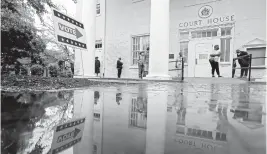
85	59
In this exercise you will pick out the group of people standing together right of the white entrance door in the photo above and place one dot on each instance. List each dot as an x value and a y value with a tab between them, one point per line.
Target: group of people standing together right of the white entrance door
242	57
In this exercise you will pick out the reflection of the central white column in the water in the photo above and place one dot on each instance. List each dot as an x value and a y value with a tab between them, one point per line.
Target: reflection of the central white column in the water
156	122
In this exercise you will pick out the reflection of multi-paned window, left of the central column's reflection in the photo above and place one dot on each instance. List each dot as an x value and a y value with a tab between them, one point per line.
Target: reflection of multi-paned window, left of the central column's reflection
138	112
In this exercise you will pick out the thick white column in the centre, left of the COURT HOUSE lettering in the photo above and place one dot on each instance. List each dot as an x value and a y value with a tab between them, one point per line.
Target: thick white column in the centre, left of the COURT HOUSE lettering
159	40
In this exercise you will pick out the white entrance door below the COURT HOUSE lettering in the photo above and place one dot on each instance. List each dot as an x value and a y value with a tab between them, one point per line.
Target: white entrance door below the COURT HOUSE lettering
203	50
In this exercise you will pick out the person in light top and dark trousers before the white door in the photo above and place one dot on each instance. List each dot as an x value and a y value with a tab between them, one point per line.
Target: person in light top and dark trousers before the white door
214	61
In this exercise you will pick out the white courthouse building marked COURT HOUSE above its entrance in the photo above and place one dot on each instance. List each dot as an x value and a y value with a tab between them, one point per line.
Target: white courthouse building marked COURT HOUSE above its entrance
123	29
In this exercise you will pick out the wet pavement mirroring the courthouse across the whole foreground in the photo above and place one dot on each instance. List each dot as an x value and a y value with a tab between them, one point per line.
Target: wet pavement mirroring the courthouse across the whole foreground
154	118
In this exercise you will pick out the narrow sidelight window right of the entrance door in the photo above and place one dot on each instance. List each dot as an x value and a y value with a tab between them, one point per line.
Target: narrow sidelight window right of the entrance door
225	49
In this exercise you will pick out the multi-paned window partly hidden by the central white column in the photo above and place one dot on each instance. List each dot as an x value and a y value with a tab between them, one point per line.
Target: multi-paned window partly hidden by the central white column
139	43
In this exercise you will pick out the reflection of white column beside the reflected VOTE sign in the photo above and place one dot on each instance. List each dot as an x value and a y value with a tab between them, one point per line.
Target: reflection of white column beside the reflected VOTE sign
85	100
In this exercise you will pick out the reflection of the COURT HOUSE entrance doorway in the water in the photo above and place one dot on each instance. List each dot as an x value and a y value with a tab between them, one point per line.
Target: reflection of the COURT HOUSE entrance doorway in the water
200	124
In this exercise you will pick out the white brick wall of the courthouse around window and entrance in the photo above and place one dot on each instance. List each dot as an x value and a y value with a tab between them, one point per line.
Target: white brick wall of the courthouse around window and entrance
124	19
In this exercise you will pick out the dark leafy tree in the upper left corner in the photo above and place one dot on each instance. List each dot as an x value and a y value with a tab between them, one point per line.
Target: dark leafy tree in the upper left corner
20	38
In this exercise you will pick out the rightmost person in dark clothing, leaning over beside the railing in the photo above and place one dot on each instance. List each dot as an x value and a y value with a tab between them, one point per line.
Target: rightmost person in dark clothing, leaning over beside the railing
243	60
